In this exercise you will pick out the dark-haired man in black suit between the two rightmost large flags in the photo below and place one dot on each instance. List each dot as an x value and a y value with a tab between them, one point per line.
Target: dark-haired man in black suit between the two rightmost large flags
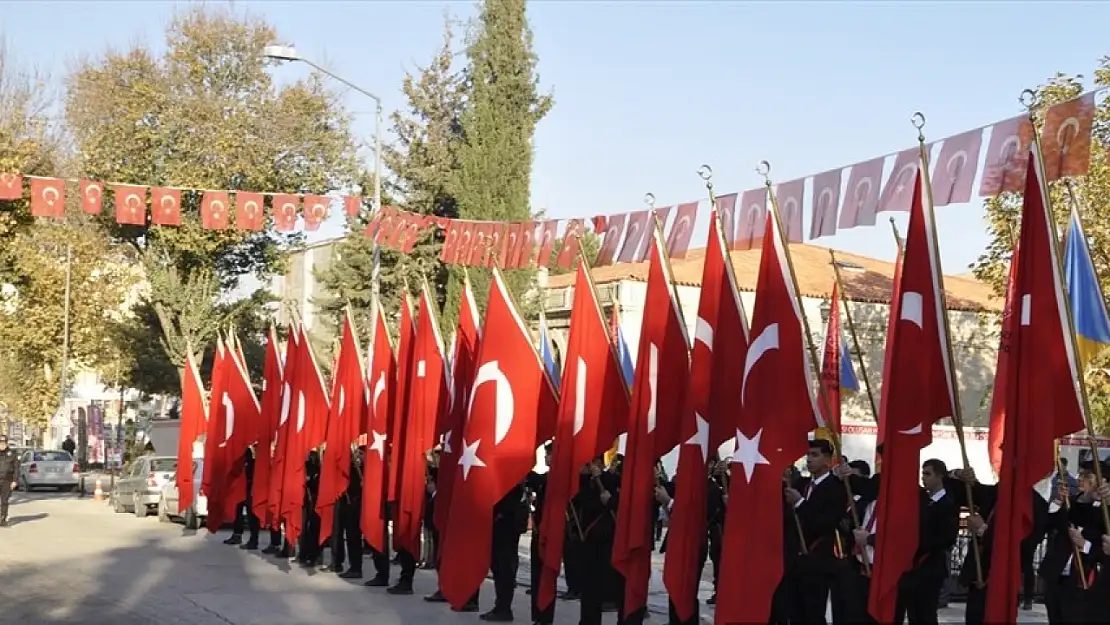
920	588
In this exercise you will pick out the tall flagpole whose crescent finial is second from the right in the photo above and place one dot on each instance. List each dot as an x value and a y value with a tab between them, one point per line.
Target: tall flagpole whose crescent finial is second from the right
919	122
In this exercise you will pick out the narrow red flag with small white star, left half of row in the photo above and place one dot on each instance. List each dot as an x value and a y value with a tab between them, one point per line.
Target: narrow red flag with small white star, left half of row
382	381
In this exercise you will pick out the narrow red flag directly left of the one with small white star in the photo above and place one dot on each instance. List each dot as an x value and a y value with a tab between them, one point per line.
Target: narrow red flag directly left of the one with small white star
345	426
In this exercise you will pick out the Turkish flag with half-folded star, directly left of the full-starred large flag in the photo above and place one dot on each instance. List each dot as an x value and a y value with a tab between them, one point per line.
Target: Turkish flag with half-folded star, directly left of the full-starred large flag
709	420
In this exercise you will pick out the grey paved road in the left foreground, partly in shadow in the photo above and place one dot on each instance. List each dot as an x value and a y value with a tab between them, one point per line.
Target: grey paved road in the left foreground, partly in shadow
68	560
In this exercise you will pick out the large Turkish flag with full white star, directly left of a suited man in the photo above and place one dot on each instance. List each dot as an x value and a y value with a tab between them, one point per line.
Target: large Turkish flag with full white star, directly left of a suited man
772	432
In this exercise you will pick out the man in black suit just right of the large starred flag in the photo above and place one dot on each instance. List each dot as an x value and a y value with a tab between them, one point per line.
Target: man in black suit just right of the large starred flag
819	502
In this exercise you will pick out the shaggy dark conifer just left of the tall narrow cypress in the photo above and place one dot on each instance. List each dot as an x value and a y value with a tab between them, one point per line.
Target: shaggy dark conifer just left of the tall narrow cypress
423	162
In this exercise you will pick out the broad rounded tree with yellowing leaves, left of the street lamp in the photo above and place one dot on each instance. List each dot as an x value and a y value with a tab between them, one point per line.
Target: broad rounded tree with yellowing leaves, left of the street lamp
205	115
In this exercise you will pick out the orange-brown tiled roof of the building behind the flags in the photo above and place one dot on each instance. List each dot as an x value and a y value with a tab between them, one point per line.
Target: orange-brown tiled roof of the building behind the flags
865	279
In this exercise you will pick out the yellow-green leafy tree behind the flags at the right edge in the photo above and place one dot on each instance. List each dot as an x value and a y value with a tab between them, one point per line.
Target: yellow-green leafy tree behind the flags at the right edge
1093	191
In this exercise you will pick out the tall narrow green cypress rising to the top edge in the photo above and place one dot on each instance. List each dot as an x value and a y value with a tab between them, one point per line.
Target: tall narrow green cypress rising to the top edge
504	105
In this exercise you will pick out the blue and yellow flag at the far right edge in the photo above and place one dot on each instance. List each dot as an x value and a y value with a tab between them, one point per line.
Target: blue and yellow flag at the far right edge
1085	296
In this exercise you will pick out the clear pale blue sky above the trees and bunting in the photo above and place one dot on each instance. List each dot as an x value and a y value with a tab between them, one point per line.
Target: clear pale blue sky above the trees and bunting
647	92
